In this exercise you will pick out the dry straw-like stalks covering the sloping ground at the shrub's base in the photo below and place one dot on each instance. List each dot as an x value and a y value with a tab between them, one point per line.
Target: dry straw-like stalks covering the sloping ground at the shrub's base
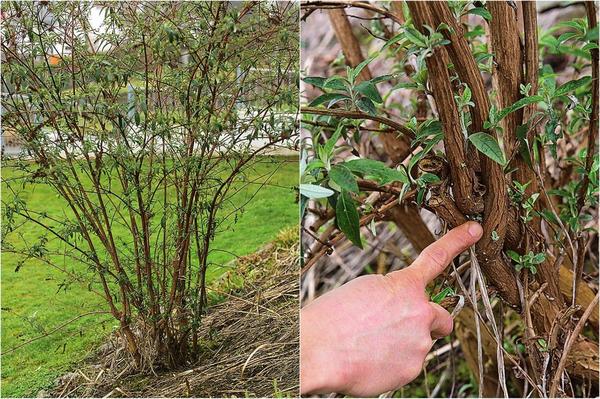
250	341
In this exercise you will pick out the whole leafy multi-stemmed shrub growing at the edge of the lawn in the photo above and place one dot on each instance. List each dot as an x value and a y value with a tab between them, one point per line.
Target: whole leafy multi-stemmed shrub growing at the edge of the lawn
144	117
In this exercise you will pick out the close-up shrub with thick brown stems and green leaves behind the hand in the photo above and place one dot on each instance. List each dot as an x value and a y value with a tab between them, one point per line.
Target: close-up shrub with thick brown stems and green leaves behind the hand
463	117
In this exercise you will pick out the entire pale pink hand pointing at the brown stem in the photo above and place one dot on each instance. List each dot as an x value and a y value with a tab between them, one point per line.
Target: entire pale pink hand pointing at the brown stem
372	334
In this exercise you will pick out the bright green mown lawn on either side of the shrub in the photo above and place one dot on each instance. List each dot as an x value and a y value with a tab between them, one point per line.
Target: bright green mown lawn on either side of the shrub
33	302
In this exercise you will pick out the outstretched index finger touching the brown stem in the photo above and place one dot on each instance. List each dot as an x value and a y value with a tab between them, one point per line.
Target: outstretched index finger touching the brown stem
432	261
